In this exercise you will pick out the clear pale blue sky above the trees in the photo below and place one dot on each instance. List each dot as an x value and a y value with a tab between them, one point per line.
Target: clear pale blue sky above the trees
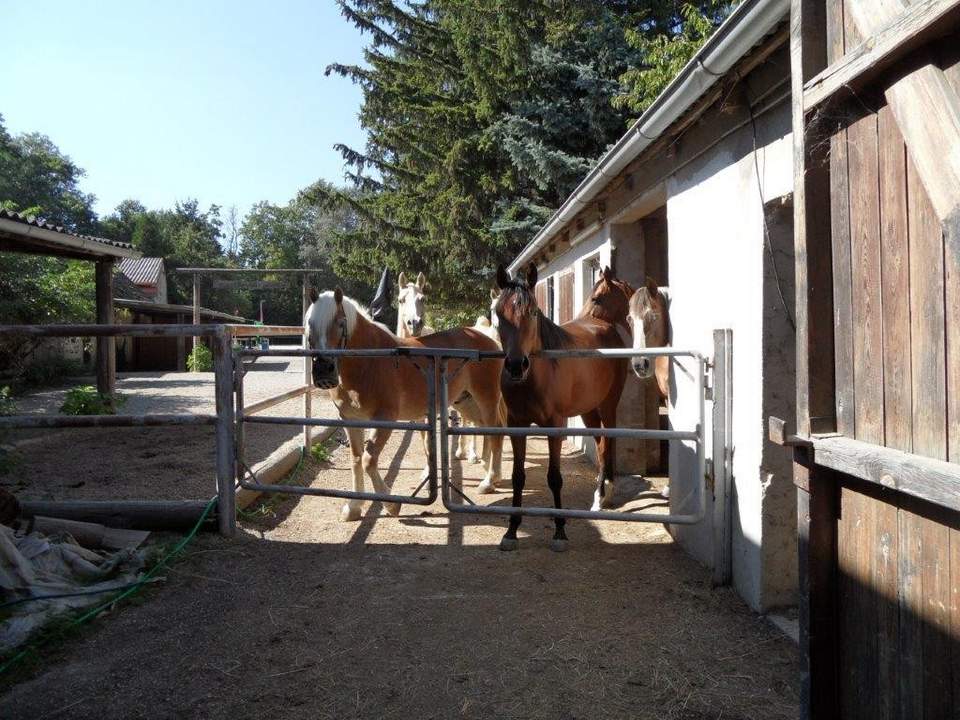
161	101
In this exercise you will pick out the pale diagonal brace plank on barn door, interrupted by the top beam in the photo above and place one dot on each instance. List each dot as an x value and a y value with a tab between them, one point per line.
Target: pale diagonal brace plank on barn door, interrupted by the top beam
927	110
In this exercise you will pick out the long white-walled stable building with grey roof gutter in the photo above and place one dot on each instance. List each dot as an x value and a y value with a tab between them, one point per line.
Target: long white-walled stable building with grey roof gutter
697	195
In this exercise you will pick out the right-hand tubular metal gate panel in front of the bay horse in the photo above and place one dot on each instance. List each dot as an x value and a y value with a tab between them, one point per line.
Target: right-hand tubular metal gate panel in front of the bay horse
446	432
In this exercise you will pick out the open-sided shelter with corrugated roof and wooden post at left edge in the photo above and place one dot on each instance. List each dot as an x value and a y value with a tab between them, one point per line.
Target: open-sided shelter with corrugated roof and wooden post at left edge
27	234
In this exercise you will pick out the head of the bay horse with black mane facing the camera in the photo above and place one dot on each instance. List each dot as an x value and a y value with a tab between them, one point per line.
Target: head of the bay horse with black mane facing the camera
516	317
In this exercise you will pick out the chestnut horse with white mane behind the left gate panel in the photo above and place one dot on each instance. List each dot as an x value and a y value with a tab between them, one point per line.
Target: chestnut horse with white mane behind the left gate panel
387	388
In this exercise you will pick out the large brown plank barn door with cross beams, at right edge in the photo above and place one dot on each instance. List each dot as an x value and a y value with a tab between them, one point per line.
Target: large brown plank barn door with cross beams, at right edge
876	96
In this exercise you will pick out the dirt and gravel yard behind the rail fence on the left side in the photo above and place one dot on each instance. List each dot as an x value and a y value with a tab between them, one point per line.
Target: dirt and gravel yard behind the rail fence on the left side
158	463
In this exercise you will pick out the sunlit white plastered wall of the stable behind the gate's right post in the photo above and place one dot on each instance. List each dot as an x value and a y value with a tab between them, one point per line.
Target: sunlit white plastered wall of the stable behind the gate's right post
716	263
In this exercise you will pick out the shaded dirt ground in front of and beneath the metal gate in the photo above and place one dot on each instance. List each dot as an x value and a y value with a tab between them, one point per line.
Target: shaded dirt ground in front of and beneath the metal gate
421	616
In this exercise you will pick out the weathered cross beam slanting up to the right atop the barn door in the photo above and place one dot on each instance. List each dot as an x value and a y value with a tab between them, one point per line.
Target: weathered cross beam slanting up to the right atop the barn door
909	30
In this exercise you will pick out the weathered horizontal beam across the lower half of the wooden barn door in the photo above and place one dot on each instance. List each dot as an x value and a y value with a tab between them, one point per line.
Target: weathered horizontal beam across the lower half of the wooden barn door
935	481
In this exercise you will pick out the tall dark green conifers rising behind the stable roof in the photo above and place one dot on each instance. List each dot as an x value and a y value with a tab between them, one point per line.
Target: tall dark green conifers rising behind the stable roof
482	117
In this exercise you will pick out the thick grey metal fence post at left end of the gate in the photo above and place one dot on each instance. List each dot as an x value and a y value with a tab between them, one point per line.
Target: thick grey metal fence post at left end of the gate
226	458
